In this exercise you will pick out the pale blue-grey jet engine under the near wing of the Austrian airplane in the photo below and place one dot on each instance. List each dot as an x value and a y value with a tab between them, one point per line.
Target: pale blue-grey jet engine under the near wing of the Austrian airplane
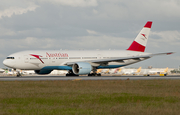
81	68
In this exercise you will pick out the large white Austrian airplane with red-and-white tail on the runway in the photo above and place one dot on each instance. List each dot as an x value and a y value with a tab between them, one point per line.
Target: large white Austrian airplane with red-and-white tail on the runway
82	62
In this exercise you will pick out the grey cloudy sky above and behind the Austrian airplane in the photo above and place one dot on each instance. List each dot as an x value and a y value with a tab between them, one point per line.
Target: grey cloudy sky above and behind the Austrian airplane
90	25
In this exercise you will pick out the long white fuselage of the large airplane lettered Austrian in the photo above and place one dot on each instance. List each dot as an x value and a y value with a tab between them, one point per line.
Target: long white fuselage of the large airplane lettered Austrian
29	60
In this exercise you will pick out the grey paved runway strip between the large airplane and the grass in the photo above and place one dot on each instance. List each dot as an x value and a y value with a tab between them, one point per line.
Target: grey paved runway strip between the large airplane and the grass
42	78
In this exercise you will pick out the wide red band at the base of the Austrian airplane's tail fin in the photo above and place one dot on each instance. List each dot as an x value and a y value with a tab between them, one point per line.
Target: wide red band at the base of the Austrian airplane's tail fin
136	47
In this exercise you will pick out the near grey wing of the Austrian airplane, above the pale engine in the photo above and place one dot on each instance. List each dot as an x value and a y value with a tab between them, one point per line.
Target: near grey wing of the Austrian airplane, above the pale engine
123	59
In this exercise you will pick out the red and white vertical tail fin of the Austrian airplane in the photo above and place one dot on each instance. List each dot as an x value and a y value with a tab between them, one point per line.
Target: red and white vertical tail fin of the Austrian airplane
139	44
